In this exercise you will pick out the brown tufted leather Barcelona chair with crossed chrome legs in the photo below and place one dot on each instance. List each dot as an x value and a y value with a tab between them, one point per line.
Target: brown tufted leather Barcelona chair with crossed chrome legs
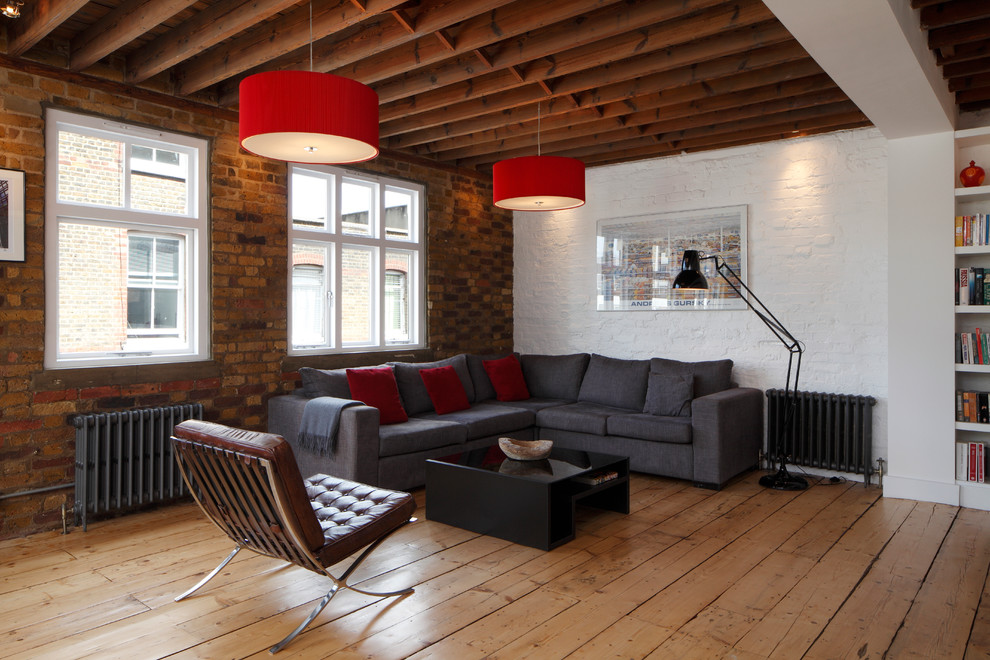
249	485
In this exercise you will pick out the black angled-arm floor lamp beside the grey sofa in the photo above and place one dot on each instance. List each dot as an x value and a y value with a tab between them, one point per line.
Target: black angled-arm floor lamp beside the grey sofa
691	278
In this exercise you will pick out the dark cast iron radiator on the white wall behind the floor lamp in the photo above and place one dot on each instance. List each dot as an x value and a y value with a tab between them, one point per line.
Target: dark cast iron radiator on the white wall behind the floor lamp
832	431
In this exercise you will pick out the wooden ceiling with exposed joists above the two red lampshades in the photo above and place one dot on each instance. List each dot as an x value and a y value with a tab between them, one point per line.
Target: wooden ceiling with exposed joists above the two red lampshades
470	82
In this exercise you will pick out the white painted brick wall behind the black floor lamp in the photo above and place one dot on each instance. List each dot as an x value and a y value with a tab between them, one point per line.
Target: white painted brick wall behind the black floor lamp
817	243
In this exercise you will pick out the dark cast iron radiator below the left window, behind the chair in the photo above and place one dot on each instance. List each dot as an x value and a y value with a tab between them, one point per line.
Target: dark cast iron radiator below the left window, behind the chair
124	458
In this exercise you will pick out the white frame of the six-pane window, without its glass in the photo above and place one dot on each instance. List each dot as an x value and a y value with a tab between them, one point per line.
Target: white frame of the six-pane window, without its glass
336	239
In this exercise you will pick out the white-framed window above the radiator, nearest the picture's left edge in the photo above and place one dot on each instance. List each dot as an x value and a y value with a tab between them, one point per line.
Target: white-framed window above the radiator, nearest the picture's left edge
126	250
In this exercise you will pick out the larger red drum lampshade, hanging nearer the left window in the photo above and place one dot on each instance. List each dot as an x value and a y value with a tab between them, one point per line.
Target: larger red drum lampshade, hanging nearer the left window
308	117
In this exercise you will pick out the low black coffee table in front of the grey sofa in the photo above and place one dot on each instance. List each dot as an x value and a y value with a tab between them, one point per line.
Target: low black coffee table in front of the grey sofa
527	502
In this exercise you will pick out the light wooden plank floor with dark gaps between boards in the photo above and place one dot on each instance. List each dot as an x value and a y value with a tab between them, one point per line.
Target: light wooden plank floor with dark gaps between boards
832	572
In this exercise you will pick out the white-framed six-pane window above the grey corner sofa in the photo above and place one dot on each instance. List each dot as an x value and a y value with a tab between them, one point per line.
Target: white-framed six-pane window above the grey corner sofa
357	259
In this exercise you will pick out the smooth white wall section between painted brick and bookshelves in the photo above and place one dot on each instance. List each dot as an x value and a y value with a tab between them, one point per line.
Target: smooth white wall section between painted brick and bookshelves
922	376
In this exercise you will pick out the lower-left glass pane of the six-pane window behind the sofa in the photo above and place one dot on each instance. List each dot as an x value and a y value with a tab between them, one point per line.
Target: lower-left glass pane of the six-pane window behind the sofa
310	303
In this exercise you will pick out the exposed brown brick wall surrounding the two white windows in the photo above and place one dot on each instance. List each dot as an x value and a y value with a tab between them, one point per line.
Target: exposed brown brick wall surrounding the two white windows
469	287
